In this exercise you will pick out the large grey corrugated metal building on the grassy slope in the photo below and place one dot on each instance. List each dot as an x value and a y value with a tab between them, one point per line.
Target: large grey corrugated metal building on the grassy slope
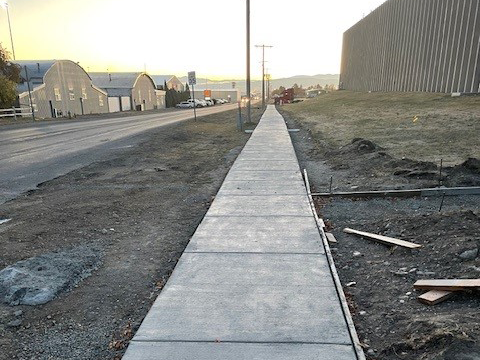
414	45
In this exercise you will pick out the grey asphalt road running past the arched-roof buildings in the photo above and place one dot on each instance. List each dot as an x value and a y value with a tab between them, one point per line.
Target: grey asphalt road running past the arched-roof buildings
34	153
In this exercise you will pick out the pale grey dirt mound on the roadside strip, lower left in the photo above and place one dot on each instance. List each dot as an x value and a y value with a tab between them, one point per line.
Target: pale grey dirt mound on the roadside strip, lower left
40	279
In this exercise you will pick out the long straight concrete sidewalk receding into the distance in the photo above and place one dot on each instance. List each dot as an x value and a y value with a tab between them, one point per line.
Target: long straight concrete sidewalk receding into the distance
254	282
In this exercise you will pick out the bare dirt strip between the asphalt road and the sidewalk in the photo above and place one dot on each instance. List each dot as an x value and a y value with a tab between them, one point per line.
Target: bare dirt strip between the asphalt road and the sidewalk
138	211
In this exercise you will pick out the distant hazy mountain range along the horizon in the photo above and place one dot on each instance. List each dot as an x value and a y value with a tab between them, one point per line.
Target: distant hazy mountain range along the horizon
304	80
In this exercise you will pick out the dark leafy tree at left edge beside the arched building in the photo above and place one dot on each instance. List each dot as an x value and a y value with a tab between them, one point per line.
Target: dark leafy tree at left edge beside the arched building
9	78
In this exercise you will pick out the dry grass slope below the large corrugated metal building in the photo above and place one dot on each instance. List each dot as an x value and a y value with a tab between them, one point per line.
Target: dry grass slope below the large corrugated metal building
420	126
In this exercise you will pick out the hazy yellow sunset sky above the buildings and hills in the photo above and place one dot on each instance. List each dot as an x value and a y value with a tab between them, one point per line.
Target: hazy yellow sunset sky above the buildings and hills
176	36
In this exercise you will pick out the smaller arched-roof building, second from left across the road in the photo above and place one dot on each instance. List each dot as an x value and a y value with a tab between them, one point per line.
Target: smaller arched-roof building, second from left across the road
129	91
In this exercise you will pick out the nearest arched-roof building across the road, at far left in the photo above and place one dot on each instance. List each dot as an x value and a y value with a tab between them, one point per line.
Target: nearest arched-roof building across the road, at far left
59	88
